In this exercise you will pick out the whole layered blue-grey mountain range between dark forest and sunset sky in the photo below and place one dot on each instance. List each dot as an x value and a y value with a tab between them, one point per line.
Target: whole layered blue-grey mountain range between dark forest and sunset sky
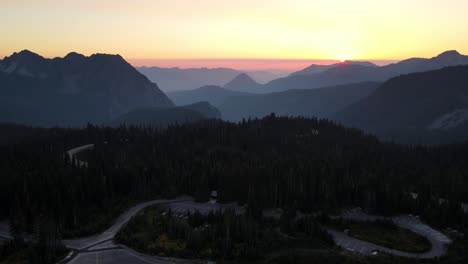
405	101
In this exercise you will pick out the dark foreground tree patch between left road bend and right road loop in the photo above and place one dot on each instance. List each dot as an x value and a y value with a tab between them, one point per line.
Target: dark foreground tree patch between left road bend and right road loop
159	231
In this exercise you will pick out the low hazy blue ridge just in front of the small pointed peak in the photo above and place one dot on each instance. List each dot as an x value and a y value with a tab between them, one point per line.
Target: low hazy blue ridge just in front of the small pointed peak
215	95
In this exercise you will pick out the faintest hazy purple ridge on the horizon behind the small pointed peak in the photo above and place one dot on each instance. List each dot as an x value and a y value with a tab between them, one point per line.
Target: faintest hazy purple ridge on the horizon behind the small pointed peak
177	79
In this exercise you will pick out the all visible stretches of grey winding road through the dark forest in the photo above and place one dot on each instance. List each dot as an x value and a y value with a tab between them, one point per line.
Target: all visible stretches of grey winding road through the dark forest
101	248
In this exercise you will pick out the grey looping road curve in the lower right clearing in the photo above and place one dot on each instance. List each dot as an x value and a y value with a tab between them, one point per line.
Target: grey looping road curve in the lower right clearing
438	240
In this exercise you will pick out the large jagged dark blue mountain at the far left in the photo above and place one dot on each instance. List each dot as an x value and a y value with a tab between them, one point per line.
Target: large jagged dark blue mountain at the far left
72	90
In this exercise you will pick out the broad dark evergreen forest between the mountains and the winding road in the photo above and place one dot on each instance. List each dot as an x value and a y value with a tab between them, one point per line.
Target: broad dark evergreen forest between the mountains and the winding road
313	164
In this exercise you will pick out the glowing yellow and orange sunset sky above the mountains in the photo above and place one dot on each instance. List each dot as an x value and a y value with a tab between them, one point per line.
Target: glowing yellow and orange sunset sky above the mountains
241	33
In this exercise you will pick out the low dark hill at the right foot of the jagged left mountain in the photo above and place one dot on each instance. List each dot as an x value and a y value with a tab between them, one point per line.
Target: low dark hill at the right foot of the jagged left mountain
165	116
